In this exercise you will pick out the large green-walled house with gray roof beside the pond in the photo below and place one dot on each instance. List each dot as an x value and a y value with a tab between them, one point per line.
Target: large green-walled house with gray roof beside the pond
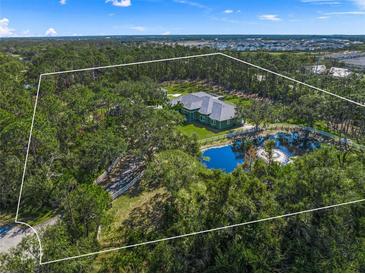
208	110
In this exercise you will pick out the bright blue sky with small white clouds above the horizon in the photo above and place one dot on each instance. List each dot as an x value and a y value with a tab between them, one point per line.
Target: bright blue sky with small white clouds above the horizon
127	17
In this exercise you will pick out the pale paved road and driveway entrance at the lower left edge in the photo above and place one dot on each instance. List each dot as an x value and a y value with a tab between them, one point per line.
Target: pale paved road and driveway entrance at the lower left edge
11	235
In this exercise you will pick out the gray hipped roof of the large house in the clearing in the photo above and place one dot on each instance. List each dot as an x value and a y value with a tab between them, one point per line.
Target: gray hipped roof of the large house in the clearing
206	104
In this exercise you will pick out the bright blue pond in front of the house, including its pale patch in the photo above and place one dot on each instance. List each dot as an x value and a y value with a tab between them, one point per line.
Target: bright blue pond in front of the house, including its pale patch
227	158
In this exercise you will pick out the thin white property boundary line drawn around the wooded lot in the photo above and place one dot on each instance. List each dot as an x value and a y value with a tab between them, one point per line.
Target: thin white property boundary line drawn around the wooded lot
183	235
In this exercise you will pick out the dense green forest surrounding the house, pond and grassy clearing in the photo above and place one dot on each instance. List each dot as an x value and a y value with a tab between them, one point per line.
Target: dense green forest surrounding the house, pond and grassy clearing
86	120
